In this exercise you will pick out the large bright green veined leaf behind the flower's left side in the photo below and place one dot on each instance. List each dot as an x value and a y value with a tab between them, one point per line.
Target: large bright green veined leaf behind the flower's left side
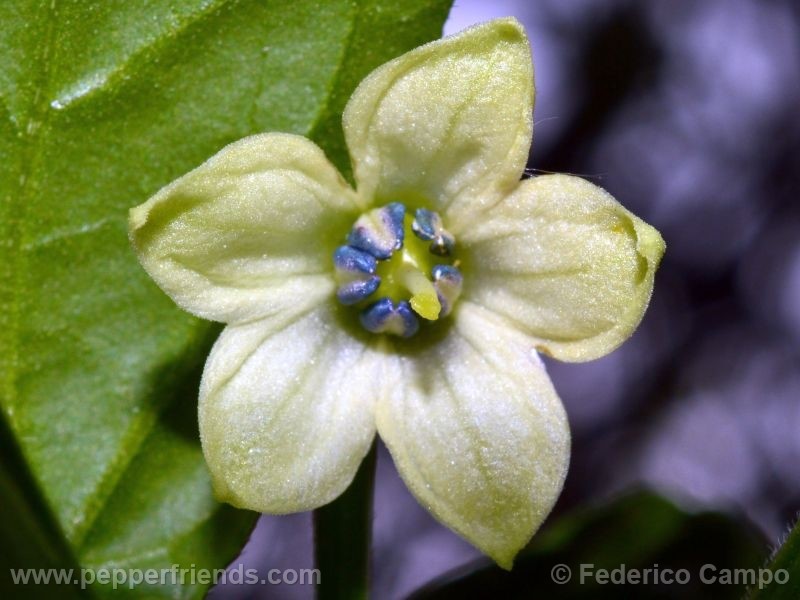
101	104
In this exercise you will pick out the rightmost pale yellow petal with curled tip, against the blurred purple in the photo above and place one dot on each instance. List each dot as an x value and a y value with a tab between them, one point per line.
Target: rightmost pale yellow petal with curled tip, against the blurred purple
564	262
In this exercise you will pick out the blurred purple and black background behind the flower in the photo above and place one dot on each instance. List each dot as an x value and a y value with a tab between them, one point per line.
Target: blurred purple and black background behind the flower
687	112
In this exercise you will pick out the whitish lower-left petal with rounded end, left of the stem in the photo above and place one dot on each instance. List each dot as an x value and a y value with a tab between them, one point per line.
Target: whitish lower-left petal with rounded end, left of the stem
286	411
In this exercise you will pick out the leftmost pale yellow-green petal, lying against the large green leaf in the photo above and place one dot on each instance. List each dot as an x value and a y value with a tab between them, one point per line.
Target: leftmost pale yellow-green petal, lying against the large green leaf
250	231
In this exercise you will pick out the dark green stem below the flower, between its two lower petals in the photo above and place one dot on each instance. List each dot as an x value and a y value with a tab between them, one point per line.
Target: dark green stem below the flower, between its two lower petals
342	532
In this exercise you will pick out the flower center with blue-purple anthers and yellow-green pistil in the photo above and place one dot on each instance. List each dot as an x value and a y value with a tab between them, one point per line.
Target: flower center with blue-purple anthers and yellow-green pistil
397	268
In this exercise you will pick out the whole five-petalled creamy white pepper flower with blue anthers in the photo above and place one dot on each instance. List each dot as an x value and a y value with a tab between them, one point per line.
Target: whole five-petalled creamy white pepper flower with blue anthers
412	305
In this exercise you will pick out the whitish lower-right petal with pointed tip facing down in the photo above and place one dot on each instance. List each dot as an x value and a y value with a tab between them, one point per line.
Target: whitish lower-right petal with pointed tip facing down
478	433
